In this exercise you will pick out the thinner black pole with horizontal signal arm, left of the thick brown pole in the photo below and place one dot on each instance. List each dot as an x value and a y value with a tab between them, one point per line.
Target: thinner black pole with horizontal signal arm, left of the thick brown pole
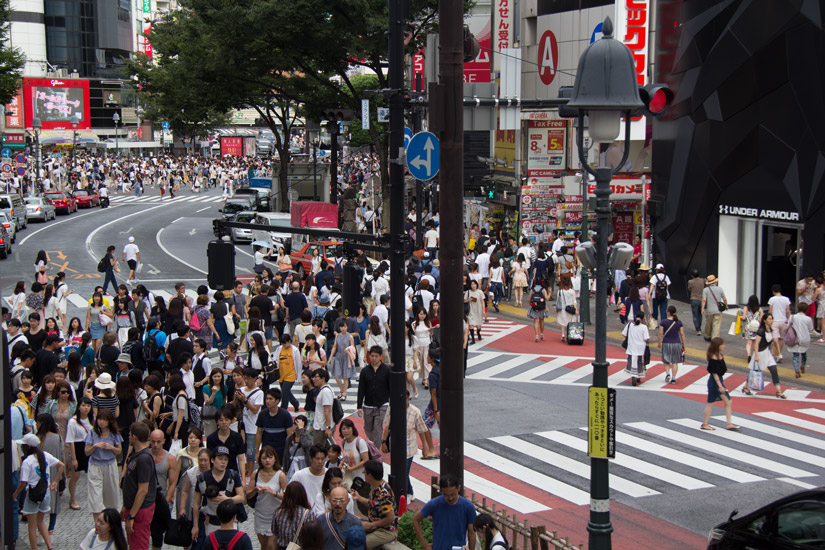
398	382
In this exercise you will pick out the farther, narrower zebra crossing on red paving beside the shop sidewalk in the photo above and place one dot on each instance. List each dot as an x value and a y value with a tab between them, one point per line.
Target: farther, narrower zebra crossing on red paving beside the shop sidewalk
571	370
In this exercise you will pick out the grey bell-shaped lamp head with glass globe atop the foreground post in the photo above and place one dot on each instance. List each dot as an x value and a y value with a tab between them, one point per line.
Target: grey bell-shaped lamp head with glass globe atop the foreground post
605	85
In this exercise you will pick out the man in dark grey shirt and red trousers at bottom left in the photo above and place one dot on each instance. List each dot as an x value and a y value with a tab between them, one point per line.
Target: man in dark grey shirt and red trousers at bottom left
139	488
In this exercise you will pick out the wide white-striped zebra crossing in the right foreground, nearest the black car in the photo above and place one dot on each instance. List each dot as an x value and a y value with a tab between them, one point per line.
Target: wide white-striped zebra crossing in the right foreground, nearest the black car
531	473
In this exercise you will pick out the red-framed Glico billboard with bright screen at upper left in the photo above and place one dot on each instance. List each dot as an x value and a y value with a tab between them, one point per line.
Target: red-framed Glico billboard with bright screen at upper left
56	102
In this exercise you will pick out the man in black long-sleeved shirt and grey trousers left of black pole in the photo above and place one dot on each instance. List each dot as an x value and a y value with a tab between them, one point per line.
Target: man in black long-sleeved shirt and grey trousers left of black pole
374	394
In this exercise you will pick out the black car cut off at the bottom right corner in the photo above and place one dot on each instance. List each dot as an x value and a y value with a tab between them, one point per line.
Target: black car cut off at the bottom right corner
796	522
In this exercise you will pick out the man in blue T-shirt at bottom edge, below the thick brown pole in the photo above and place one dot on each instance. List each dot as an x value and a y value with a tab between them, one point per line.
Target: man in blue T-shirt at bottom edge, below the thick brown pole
452	515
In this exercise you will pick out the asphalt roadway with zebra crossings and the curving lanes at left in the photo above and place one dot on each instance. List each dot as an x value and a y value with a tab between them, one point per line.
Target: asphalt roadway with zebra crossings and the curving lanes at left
525	402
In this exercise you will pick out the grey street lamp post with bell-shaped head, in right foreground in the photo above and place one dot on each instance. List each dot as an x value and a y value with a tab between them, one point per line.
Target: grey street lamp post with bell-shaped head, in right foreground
606	91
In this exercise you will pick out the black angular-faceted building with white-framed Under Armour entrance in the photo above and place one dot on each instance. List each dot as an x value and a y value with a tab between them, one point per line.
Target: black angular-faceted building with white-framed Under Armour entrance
739	161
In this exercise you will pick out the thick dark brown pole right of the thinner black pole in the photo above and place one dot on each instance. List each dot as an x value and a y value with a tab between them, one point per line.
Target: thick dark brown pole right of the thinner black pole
451	200
